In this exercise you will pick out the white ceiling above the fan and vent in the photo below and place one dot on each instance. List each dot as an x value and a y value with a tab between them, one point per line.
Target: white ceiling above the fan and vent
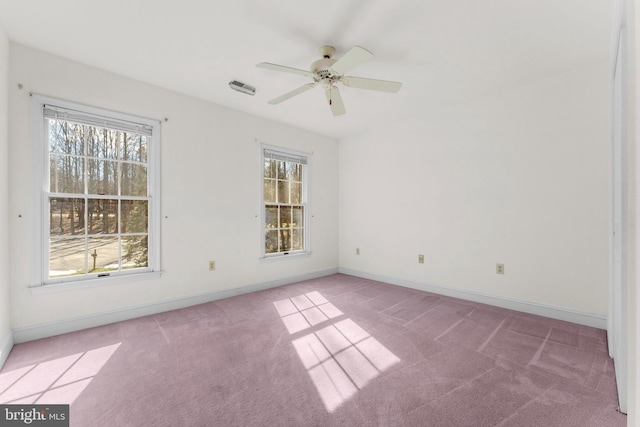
444	51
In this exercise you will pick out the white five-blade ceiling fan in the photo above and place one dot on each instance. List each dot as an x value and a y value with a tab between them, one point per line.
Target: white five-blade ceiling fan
327	71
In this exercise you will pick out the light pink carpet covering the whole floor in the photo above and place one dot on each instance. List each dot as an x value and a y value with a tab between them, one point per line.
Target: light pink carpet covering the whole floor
335	351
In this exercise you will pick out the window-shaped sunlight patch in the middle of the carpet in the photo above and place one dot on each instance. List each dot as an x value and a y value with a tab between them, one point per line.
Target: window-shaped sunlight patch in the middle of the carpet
341	357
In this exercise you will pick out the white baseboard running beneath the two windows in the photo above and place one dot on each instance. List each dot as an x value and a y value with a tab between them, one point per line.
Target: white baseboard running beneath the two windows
85	322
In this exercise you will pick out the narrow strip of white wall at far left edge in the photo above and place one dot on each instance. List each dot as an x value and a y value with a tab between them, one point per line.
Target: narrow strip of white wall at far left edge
5	307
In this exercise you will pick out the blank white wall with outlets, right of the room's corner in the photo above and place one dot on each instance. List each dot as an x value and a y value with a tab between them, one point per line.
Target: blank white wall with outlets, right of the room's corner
520	178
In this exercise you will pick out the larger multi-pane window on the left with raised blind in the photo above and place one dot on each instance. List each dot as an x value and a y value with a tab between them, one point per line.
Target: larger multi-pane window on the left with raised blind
98	193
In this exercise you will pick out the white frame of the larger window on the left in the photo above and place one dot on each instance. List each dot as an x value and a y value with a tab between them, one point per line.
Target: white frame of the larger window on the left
42	190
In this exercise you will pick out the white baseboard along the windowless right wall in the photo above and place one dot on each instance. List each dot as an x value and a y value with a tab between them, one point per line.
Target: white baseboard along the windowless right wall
592	320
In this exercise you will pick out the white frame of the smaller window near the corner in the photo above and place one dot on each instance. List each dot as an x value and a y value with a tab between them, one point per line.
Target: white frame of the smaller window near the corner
305	201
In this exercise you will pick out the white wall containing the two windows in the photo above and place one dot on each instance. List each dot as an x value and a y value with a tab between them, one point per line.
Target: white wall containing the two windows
210	192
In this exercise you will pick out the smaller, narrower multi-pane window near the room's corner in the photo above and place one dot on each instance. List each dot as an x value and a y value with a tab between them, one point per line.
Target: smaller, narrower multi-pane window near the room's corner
285	202
